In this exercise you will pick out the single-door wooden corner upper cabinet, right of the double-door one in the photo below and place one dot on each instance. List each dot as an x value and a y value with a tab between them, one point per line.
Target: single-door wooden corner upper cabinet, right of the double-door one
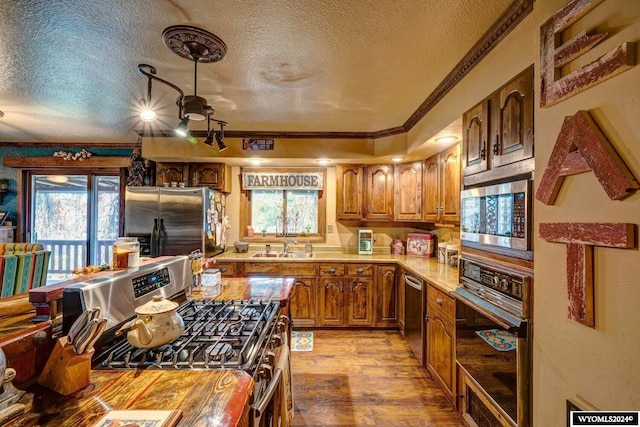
407	183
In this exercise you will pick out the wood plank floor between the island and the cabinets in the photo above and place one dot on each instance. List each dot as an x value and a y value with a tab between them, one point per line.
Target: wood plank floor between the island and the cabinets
365	378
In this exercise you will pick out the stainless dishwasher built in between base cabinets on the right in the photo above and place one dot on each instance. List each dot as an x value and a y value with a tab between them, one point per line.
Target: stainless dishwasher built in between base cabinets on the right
413	315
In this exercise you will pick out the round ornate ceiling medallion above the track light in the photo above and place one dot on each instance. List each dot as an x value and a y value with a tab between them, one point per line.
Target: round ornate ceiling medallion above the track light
182	39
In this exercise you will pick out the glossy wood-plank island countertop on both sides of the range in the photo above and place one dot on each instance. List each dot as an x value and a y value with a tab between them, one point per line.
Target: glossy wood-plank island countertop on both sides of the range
206	397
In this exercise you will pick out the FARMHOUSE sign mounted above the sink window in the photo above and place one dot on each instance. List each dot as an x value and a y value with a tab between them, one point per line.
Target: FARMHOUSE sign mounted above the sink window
282	180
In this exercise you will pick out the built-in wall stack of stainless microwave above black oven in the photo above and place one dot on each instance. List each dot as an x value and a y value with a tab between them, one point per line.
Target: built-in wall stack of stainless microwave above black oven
494	304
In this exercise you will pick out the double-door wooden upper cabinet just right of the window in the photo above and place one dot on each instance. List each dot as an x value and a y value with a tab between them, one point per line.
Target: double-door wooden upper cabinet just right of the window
364	192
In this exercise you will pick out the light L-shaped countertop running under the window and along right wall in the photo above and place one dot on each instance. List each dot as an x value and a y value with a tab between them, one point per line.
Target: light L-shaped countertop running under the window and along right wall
440	275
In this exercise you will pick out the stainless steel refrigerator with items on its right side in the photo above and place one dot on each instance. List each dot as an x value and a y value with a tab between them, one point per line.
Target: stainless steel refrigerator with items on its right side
175	220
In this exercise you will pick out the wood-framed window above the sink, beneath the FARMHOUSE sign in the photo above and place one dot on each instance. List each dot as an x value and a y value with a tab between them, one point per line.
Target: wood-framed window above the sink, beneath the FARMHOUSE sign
276	213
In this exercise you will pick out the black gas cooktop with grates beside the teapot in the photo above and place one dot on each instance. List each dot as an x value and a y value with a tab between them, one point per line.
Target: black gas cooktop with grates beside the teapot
217	335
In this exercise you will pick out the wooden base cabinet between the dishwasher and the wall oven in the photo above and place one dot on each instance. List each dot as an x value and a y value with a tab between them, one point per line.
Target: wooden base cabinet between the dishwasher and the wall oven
441	340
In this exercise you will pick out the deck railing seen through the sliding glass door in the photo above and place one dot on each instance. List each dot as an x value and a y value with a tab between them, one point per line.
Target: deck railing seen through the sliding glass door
67	255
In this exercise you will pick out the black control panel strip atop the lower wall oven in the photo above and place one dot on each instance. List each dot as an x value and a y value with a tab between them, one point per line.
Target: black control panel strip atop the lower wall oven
502	281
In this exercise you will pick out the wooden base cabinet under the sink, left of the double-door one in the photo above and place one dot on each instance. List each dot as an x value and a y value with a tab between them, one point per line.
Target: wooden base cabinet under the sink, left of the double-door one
303	294
